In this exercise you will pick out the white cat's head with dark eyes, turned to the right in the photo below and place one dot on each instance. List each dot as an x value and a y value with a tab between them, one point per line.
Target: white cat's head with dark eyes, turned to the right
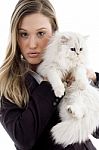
73	45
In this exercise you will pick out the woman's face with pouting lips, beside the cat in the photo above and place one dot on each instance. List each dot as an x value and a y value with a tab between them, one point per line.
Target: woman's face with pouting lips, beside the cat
34	32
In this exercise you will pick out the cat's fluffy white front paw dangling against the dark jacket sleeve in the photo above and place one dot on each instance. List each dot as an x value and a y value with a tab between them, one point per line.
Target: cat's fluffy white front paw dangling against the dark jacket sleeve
59	90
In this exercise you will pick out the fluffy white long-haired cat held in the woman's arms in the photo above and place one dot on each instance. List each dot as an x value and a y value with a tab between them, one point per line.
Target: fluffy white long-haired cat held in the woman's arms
79	108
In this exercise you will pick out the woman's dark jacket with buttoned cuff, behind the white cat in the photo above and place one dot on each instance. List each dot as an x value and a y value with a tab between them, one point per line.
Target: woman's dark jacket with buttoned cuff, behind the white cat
29	127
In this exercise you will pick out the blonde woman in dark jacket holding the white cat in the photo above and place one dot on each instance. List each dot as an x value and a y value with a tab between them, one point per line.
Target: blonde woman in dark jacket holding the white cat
28	103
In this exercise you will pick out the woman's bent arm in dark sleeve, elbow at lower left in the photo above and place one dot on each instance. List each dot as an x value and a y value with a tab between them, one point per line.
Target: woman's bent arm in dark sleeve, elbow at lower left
26	125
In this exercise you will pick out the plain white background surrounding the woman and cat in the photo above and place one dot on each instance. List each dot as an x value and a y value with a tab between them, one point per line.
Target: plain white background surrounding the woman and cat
73	15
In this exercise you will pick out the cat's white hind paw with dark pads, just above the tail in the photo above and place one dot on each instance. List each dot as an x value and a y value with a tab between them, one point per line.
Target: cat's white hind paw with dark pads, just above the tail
75	112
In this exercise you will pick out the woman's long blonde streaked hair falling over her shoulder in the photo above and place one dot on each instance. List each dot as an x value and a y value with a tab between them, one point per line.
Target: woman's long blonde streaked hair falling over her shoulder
13	70
